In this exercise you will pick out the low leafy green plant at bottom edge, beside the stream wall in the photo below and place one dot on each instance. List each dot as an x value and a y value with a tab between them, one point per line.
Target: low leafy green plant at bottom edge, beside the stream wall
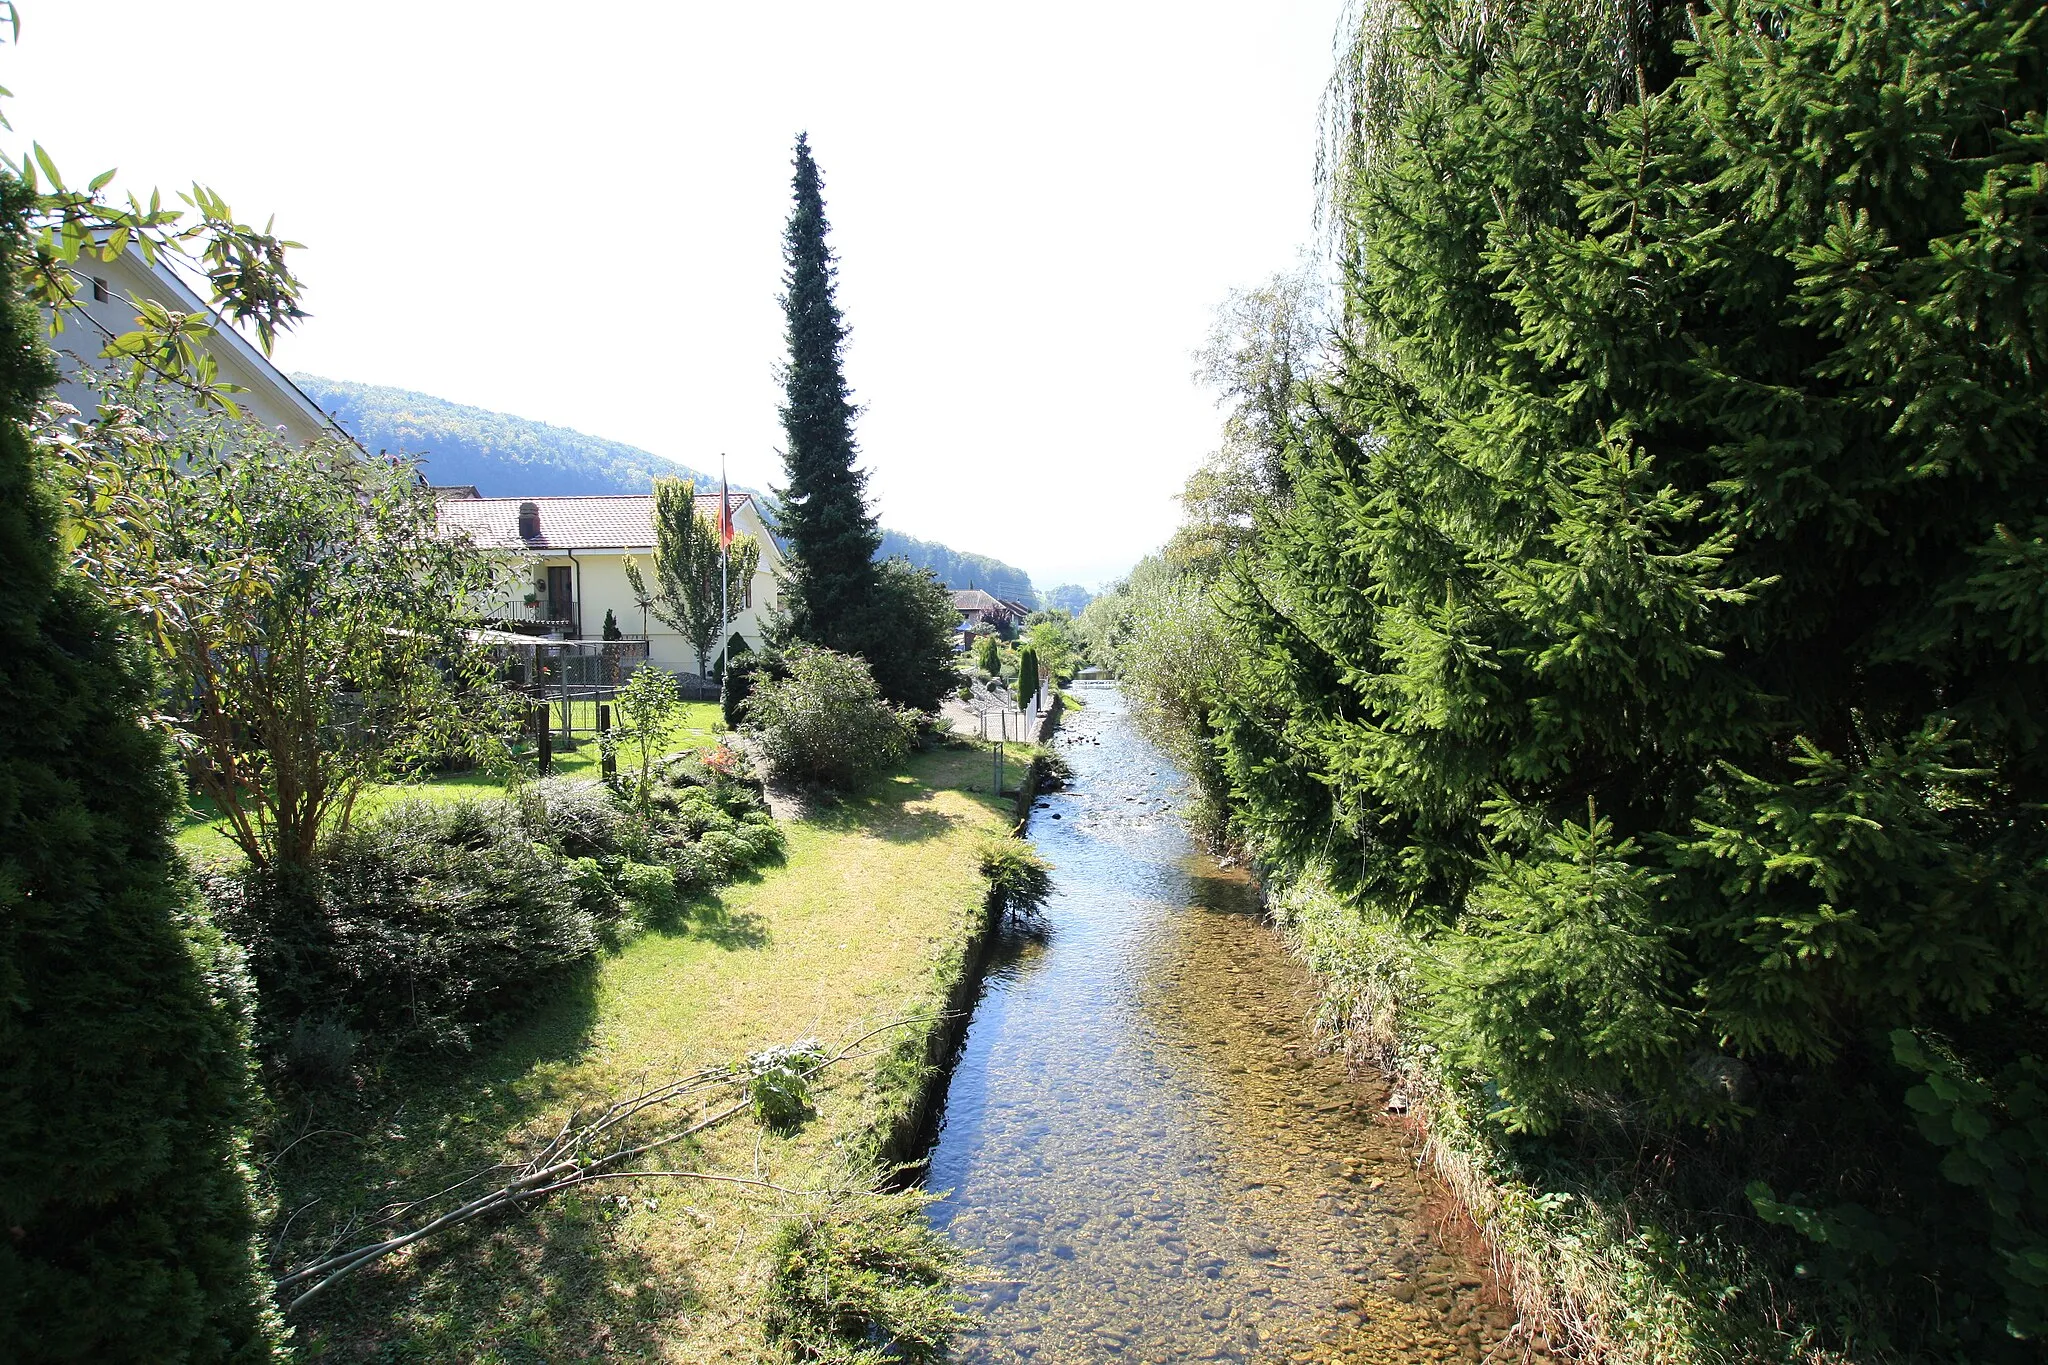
861	1282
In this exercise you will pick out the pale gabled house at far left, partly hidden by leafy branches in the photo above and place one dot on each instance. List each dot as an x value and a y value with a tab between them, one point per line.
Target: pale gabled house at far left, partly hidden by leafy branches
108	298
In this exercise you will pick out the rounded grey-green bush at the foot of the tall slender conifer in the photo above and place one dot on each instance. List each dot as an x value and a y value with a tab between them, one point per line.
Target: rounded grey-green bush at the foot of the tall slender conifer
826	723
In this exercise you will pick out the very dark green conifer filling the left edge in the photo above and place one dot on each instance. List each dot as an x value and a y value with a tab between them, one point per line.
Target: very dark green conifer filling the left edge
126	1208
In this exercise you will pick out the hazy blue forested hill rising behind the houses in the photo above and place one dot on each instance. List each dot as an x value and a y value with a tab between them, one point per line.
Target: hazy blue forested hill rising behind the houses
513	457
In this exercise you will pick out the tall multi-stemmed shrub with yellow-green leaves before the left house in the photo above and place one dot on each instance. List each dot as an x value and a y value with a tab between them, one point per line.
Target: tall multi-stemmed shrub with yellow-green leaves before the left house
302	605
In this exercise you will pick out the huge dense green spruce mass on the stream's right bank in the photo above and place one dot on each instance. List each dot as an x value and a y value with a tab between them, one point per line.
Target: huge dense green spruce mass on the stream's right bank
1654	621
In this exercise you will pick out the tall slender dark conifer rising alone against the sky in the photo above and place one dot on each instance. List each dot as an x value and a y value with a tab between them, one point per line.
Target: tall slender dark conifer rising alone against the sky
833	535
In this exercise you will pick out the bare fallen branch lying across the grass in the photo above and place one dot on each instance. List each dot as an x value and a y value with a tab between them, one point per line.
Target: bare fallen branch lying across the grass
583	1151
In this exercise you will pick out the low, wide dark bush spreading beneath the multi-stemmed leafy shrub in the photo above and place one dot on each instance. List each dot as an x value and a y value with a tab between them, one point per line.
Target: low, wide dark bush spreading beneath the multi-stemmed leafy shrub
423	924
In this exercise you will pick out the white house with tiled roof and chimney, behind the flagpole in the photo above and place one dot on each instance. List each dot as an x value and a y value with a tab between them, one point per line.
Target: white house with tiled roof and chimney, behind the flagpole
572	566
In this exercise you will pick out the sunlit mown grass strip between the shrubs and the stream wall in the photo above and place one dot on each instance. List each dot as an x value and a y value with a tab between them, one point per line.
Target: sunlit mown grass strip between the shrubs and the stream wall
863	924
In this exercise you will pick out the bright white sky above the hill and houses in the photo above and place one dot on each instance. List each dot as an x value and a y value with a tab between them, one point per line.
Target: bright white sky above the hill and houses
572	212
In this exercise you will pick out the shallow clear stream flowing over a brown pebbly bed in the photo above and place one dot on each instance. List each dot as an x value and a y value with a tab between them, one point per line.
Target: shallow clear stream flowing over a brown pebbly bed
1148	1157
